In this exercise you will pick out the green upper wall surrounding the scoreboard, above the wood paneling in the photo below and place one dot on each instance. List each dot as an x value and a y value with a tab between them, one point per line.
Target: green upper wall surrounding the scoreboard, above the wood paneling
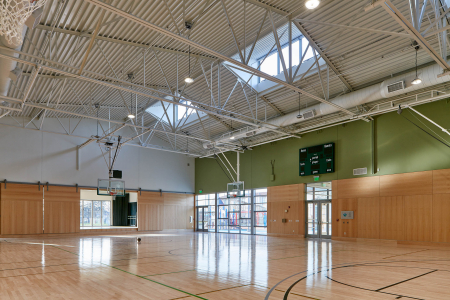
398	147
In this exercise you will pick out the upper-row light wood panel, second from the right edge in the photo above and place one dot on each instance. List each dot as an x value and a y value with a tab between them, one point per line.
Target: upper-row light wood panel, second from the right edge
406	184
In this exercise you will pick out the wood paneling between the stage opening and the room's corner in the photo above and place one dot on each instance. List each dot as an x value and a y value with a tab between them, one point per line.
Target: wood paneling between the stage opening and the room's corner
166	211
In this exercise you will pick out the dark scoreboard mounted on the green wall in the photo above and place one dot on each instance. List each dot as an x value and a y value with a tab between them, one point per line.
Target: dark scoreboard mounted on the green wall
317	160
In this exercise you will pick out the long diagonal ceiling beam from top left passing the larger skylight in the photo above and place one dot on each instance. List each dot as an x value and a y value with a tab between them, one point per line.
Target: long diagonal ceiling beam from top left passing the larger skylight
205	49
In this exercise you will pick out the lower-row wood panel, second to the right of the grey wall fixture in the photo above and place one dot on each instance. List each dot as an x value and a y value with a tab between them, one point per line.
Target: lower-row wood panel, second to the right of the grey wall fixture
391	218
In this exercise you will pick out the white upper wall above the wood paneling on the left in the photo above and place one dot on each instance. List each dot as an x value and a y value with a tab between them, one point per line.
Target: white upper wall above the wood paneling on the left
32	156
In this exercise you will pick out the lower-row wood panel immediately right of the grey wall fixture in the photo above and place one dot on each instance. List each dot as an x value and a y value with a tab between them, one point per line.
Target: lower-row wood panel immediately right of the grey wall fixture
369	218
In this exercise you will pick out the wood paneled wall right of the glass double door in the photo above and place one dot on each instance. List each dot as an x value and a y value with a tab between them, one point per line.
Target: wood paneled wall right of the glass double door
409	207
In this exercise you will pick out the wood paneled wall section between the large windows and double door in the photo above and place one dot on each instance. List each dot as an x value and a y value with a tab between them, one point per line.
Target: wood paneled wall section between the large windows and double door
280	199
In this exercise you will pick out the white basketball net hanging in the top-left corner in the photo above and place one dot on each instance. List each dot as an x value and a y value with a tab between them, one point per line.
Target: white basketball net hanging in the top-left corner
13	14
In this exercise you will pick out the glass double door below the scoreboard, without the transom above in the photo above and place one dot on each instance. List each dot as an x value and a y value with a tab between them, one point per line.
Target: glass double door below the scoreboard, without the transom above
318	219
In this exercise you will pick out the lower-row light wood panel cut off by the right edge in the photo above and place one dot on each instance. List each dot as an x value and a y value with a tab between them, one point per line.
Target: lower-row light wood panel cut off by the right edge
441	218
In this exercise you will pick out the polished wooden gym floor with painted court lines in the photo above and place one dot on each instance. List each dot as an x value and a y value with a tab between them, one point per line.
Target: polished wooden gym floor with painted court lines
187	265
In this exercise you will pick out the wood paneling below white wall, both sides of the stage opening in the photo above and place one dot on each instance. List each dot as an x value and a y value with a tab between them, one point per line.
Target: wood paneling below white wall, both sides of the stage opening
24	209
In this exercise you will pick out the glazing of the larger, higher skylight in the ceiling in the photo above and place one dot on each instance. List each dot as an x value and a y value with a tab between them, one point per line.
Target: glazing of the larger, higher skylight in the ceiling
272	64
